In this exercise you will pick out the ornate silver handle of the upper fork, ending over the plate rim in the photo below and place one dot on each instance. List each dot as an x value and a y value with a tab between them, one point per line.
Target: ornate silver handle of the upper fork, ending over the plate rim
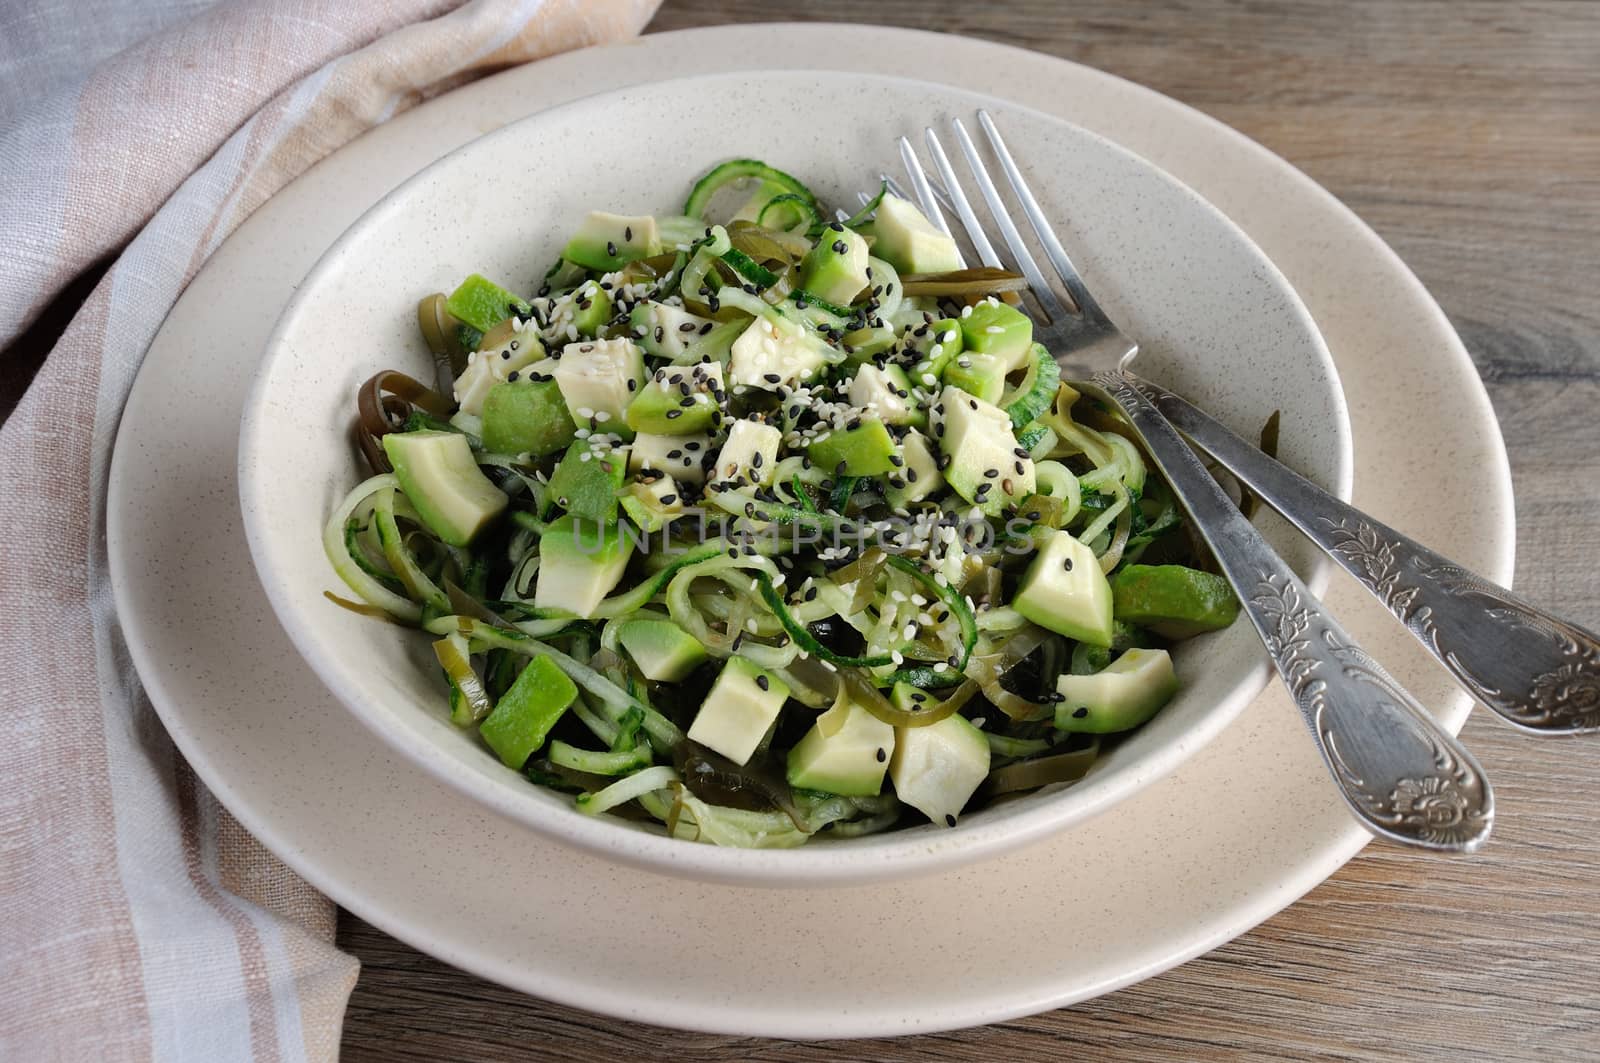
1402	776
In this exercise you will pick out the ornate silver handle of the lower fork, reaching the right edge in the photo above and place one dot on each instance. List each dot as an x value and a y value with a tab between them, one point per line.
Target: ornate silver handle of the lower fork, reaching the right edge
1538	672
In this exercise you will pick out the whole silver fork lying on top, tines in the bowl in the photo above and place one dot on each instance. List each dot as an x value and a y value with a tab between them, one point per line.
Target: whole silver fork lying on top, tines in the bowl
1401	774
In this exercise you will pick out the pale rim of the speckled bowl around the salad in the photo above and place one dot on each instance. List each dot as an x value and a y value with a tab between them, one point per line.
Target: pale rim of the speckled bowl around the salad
892	856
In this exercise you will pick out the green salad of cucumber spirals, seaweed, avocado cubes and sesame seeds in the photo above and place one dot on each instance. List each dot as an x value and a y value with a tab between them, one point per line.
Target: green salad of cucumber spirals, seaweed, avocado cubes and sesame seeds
764	523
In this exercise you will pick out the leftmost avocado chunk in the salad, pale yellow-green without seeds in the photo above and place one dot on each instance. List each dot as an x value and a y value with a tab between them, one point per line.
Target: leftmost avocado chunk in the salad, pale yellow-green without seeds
441	478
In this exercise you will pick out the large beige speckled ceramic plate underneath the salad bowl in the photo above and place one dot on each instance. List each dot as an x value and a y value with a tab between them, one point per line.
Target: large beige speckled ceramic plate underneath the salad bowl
1238	832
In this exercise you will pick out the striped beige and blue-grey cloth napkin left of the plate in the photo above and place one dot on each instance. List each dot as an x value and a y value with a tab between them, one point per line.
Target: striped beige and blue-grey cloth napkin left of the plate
137	918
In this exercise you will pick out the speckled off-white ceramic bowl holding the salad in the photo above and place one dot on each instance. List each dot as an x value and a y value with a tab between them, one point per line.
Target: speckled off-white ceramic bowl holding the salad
1217	323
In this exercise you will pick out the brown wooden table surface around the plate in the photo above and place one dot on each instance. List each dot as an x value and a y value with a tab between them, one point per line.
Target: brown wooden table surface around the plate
1470	137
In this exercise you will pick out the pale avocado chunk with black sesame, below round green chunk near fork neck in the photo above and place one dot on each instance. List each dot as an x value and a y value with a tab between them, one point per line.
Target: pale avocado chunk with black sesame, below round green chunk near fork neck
986	465
